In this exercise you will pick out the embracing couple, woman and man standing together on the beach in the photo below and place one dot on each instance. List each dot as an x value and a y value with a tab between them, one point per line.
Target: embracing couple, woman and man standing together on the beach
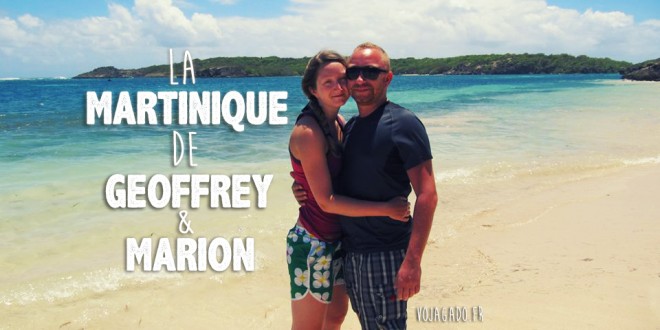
355	238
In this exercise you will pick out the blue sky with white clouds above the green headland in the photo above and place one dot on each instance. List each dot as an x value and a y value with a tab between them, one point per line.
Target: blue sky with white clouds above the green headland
64	38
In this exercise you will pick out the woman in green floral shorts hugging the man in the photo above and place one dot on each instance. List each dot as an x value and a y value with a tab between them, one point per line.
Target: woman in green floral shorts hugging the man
319	300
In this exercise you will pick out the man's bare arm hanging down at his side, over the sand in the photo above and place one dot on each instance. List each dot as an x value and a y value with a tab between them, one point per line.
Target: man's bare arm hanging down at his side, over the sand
409	275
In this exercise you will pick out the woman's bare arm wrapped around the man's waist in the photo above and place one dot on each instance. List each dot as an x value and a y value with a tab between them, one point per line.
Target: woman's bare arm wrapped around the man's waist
307	144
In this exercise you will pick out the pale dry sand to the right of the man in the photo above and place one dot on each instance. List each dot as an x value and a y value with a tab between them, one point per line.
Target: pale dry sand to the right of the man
580	255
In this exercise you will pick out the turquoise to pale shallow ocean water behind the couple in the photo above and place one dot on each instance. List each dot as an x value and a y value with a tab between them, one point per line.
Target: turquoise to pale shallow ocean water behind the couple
493	138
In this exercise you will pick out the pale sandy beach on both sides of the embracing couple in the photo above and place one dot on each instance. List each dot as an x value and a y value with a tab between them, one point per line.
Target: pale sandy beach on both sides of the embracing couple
550	254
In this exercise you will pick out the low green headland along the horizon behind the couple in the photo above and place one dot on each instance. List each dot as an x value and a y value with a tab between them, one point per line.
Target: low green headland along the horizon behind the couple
461	65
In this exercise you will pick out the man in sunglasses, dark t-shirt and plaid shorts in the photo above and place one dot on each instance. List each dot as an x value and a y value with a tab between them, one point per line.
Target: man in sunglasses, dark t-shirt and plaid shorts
386	150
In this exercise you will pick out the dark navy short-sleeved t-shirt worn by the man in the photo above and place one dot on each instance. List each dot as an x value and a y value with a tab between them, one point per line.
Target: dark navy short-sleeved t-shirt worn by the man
378	150
